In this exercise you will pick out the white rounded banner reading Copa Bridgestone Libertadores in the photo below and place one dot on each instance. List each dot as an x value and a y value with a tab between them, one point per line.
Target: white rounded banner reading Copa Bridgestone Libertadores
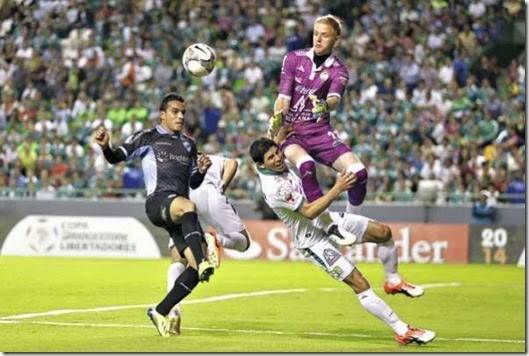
80	236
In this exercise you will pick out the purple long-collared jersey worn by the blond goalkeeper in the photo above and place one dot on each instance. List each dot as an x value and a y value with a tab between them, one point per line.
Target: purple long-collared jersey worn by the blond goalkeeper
300	78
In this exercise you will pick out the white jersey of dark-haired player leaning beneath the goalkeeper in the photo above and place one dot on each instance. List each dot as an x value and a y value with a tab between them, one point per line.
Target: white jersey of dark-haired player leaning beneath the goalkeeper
284	194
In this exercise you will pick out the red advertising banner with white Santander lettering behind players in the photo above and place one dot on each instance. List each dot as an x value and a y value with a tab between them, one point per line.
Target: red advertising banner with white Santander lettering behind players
418	243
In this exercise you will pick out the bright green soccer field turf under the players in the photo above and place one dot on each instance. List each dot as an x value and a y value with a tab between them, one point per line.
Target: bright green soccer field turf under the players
99	305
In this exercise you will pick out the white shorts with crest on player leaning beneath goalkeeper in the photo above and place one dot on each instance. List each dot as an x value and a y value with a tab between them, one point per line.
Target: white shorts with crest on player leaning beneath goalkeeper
327	255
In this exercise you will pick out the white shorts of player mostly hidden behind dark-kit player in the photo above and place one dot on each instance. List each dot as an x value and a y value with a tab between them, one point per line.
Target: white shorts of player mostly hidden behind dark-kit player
213	209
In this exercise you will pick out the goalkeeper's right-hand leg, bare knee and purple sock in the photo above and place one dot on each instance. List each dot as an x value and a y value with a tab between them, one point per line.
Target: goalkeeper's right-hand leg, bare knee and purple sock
356	195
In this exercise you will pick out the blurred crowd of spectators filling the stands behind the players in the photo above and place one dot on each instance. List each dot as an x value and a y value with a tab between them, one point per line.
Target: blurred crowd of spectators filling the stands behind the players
425	101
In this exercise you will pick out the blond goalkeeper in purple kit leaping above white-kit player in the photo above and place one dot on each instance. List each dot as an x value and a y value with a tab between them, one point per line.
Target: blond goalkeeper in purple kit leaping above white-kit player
312	83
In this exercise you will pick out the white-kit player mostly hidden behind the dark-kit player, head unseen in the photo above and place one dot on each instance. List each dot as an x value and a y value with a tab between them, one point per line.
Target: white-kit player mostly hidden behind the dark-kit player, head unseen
213	209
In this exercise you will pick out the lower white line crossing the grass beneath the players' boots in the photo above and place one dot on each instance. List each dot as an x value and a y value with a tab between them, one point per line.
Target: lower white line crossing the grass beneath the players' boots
245	331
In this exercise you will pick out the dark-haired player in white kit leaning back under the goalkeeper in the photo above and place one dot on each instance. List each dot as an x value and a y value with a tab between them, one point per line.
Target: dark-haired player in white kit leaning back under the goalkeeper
283	192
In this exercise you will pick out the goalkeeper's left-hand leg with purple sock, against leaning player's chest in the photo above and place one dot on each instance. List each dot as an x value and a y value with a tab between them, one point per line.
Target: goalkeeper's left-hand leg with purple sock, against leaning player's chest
307	170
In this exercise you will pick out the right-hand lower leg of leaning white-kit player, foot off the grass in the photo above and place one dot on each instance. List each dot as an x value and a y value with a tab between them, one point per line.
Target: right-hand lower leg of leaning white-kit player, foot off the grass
387	253
